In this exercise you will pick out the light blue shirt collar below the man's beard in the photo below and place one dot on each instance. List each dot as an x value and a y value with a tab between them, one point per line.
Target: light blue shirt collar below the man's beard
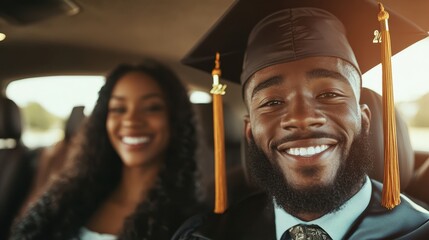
347	214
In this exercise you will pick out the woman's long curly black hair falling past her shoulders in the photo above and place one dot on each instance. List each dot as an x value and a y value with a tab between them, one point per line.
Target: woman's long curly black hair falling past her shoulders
96	170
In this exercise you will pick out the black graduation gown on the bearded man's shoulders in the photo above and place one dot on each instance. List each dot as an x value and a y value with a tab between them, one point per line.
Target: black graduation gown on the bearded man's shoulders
253	218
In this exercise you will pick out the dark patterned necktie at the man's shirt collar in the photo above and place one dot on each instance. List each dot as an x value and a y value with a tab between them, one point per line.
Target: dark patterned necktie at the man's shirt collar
305	232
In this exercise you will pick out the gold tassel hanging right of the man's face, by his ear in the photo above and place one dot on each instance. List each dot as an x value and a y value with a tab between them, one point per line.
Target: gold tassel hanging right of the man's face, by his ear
391	183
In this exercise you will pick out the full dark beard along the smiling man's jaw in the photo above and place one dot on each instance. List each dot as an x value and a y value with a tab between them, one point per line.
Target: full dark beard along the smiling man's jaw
317	199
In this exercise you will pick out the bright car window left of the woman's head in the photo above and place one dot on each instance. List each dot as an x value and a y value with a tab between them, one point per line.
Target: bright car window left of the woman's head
46	103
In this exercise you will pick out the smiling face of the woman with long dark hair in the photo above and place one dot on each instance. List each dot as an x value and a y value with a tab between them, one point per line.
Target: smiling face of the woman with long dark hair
137	120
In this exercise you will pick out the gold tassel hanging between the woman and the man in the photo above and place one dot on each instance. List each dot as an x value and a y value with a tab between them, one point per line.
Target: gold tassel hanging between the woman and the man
219	140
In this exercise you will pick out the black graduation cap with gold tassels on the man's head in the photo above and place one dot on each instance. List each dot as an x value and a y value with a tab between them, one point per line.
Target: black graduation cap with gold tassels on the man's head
254	34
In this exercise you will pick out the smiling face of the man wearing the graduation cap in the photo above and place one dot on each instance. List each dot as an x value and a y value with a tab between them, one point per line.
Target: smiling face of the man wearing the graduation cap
304	116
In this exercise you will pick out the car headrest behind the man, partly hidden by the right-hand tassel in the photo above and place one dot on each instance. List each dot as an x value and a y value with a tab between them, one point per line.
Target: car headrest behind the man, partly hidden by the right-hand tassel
405	150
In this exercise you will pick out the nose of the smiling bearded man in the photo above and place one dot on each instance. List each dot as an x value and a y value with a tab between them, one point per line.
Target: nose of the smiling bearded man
301	114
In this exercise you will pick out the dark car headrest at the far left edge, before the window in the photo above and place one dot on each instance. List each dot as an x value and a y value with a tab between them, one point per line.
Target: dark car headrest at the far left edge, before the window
10	120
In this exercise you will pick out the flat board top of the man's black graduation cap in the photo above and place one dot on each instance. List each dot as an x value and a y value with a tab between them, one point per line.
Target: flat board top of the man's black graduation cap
230	34
